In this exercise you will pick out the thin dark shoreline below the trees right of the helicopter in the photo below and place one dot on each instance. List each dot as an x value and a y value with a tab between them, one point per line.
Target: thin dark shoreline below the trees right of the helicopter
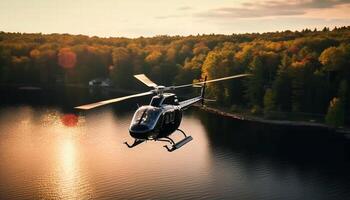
343	131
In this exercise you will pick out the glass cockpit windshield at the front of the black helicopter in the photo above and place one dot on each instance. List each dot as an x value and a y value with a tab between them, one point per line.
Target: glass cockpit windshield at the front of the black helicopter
146	116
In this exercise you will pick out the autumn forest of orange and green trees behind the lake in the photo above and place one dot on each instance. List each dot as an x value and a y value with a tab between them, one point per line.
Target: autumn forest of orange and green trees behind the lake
303	71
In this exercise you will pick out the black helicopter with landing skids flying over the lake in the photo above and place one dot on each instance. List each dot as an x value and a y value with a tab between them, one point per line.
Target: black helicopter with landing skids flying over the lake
162	117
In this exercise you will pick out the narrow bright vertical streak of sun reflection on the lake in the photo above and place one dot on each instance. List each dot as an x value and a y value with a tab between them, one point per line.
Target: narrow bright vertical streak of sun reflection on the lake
66	180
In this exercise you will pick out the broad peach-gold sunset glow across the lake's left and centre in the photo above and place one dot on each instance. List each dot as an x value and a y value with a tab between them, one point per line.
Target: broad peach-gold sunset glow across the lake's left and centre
63	156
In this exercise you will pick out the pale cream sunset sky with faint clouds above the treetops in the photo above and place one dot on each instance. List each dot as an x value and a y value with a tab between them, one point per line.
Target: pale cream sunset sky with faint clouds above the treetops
135	18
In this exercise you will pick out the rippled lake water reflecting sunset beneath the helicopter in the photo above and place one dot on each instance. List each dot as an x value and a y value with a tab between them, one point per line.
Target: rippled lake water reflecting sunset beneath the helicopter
50	151
